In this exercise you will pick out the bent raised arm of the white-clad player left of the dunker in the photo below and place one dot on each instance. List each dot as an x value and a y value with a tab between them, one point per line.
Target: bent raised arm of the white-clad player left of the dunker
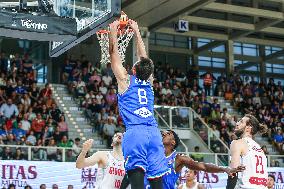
96	158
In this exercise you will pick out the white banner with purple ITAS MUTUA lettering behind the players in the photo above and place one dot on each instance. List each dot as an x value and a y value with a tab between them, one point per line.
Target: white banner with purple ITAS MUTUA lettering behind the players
34	173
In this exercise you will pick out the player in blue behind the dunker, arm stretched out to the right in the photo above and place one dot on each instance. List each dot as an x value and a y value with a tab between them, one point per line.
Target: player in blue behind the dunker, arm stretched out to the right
176	162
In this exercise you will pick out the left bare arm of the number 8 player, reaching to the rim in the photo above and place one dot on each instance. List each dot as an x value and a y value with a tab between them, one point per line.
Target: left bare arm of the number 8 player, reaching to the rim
116	63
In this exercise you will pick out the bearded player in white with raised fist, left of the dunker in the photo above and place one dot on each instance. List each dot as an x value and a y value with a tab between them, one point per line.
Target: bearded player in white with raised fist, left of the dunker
110	163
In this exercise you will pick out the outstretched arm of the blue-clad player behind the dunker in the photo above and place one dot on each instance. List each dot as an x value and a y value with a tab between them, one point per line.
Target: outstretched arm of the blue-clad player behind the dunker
207	167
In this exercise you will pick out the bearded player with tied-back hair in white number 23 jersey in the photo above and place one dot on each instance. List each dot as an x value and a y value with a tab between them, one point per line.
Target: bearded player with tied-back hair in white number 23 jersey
247	152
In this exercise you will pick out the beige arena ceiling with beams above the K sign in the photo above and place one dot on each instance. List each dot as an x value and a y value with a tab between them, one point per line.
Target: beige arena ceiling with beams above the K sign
249	21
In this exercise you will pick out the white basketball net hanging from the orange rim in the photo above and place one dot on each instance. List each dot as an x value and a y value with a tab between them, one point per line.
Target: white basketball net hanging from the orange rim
123	40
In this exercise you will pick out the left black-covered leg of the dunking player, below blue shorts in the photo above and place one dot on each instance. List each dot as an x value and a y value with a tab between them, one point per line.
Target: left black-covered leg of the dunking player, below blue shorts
136	178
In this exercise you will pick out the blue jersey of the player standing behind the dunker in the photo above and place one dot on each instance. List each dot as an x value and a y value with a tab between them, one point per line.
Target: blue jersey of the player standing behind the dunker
170	179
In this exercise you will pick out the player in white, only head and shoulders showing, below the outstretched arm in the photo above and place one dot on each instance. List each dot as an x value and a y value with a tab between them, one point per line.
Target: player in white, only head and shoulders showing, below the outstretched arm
191	182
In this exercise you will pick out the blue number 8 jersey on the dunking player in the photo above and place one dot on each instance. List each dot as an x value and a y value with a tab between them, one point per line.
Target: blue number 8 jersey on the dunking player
136	104
